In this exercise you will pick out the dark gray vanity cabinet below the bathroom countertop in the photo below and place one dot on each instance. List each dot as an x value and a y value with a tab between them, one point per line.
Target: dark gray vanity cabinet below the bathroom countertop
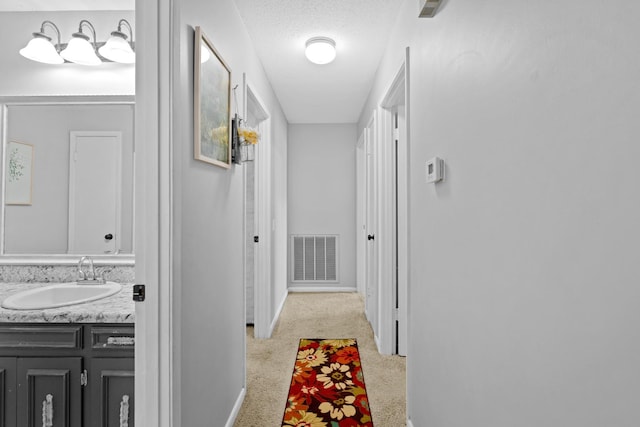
69	375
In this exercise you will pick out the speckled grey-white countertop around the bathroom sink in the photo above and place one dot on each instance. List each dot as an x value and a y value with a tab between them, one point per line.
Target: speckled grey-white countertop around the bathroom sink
118	308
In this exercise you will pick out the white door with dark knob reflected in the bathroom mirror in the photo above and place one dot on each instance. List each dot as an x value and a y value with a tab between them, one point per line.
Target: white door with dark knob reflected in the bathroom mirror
94	192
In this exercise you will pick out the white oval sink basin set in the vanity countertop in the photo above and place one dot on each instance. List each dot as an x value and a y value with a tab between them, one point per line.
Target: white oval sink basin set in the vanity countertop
59	295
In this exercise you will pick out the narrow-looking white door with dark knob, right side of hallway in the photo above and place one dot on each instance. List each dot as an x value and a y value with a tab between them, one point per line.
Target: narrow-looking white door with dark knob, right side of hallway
371	218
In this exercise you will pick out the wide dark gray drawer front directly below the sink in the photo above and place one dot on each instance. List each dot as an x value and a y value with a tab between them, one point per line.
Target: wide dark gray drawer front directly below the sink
25	337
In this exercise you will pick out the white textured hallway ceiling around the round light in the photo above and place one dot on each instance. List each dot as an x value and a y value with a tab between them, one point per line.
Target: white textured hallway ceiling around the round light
309	93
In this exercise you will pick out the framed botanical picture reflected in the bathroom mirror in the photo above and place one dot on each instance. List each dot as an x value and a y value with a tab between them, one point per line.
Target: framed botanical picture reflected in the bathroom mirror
19	173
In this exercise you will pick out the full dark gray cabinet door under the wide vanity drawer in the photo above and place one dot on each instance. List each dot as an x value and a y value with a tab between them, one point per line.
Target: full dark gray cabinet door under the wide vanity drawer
49	392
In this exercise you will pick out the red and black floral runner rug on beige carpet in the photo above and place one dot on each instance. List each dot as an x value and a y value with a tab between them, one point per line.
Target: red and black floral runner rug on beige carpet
327	387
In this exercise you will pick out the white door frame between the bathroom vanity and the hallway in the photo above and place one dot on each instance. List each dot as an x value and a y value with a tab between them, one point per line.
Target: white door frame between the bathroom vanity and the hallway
157	397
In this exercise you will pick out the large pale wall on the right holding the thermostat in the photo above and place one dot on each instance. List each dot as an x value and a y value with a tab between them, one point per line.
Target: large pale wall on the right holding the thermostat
524	269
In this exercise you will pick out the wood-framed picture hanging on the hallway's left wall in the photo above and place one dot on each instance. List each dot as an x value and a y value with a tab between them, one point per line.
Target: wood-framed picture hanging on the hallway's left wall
212	104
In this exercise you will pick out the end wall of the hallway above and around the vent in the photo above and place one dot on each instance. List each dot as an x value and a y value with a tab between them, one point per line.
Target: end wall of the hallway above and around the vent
322	185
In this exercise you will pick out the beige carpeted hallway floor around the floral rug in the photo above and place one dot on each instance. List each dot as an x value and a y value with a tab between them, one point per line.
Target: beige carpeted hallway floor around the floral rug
331	315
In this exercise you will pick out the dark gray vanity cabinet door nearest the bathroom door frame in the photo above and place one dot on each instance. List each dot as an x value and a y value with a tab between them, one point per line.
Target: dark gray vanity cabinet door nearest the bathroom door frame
110	387
